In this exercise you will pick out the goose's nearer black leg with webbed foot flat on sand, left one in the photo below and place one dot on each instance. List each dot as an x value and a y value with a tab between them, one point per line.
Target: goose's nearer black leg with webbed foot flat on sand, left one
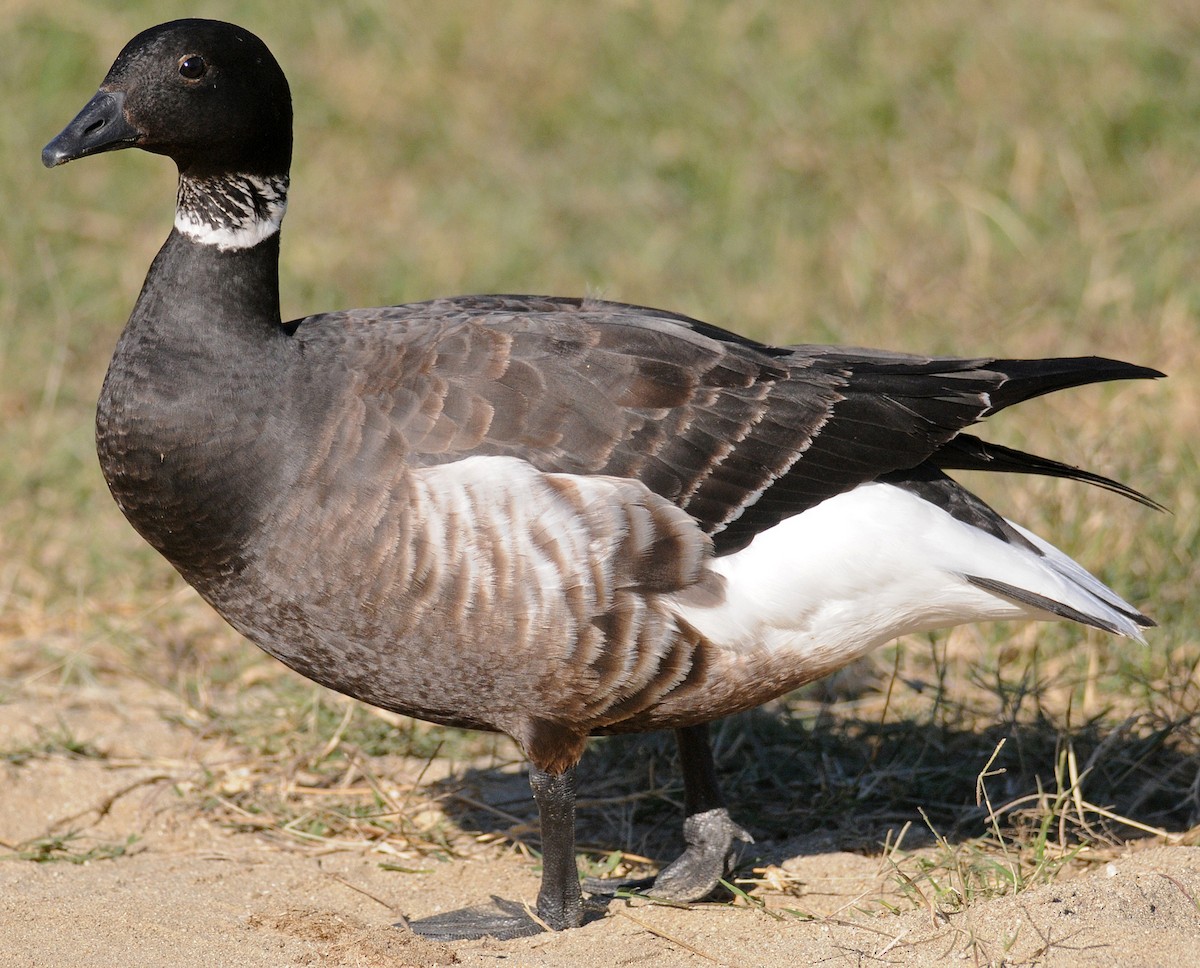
560	901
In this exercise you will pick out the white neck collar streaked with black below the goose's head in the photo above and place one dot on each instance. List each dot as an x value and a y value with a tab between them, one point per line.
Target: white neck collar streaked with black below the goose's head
231	212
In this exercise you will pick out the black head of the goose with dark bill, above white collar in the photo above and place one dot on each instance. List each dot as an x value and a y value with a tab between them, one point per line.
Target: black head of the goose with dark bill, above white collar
205	93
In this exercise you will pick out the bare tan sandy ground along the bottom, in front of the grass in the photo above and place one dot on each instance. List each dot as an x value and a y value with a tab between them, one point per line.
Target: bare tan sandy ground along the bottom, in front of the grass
193	893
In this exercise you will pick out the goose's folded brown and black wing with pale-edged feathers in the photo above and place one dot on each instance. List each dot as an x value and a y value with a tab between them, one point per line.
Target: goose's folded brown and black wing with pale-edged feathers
737	434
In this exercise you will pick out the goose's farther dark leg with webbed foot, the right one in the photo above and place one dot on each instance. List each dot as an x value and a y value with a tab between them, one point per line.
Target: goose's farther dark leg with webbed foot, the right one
709	831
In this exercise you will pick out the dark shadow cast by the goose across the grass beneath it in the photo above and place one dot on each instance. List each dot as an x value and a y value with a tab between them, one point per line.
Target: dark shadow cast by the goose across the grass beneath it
823	779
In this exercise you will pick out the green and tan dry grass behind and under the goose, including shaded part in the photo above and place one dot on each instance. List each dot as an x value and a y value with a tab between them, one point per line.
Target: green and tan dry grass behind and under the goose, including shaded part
929	177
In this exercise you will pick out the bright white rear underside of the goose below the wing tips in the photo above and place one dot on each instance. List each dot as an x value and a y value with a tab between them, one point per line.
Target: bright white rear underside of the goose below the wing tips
877	563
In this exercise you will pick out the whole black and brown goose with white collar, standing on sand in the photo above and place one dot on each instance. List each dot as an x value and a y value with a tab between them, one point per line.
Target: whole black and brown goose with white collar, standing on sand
549	518
